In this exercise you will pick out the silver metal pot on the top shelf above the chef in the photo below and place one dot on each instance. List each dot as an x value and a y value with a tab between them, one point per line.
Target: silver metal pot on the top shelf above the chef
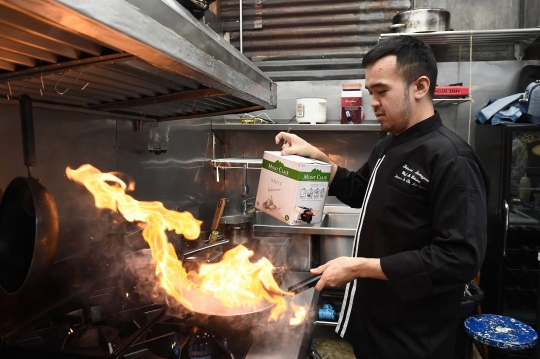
421	20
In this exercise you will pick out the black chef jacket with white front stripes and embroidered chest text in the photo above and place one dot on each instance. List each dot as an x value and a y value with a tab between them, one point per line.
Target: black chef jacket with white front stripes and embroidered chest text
423	198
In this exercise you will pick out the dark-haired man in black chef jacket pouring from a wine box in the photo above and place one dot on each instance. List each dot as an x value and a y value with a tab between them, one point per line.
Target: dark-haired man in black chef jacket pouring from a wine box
422	229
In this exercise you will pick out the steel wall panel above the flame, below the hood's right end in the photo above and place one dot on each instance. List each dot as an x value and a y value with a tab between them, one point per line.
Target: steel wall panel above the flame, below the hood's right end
180	178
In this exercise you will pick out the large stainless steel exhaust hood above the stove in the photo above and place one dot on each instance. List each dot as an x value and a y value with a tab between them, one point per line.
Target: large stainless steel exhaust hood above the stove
145	58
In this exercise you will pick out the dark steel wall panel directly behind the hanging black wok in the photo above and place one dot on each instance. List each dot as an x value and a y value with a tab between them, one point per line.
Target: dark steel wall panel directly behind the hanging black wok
62	142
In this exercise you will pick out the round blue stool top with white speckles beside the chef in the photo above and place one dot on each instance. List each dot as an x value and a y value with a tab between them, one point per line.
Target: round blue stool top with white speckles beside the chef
500	332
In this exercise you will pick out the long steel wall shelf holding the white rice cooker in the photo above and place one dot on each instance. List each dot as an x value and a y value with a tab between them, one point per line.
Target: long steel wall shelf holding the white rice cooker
295	127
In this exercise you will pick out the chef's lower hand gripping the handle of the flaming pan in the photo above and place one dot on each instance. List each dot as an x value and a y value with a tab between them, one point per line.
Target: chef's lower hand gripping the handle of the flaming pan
343	270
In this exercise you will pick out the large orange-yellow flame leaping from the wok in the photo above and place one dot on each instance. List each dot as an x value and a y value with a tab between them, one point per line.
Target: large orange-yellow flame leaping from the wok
233	286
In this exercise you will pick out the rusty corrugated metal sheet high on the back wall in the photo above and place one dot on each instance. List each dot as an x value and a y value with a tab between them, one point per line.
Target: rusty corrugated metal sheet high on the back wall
308	29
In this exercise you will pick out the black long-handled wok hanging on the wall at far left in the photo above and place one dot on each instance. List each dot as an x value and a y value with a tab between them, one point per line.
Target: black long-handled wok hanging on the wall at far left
28	219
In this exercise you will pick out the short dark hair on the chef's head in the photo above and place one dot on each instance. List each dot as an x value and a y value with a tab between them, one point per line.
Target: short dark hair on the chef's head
414	58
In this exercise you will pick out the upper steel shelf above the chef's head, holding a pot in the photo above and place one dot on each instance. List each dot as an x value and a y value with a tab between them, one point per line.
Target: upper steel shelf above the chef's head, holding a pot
519	38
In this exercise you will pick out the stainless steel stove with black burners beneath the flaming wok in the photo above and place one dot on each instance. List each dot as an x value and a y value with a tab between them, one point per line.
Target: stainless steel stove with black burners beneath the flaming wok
108	322
